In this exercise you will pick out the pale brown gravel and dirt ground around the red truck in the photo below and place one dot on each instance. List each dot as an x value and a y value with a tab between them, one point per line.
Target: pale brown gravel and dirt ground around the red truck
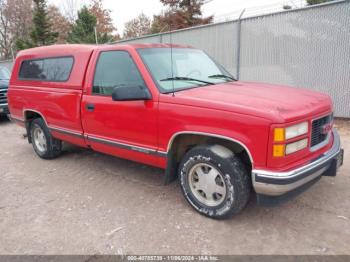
88	203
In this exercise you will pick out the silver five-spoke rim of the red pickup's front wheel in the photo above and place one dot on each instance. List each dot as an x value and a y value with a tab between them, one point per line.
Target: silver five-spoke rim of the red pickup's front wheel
207	184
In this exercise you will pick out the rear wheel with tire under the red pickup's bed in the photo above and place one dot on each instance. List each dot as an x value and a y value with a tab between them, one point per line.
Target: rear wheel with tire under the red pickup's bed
44	144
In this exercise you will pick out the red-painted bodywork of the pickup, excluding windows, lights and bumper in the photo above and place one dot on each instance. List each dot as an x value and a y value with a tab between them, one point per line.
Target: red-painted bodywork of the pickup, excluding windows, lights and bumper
244	112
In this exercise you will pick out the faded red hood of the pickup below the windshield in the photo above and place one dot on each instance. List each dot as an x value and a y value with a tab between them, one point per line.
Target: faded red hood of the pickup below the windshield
274	102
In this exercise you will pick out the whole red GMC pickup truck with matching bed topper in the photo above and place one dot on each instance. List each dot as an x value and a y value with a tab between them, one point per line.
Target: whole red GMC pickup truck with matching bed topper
174	107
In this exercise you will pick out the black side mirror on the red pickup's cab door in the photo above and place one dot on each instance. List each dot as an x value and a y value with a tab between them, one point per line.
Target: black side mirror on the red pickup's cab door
131	93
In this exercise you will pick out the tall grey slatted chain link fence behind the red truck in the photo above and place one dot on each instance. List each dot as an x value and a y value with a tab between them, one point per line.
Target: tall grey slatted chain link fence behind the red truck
307	47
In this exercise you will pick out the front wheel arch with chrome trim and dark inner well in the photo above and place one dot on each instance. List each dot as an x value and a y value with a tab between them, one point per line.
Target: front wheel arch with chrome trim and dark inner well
182	142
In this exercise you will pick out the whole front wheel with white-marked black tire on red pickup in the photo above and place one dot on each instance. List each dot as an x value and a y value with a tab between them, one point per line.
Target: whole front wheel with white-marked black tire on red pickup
216	196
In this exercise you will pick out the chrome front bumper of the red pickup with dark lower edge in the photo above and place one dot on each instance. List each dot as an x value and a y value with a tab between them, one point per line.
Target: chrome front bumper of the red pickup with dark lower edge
275	187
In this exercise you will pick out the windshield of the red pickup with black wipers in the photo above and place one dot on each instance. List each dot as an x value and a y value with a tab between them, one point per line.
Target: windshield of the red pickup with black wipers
191	68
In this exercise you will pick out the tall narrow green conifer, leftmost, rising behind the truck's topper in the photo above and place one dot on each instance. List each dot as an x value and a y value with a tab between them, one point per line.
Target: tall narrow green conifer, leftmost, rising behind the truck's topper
41	33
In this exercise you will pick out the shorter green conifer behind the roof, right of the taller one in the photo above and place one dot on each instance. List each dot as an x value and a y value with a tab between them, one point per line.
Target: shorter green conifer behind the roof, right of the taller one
83	30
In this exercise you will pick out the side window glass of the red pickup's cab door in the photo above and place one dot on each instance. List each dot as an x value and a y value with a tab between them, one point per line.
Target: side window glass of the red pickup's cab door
115	69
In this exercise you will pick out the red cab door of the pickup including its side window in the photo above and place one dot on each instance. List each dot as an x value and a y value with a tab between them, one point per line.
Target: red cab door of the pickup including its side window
123	128
